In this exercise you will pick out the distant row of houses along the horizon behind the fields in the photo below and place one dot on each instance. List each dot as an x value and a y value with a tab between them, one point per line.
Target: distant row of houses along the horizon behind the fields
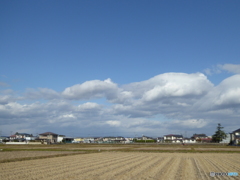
49	137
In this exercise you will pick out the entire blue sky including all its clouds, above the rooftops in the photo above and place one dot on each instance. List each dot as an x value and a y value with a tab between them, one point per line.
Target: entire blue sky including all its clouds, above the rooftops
95	67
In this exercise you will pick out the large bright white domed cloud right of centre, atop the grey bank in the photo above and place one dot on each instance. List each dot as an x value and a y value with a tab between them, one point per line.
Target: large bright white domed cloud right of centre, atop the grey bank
170	84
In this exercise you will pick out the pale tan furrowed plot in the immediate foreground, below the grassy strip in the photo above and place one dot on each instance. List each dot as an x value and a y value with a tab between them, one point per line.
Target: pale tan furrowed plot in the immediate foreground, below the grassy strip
124	166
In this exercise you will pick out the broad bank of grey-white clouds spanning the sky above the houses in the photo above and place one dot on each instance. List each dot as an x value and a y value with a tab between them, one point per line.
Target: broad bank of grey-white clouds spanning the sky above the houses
186	101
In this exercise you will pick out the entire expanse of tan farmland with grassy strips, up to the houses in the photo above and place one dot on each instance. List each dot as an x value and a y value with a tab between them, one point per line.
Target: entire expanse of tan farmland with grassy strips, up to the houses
116	161
